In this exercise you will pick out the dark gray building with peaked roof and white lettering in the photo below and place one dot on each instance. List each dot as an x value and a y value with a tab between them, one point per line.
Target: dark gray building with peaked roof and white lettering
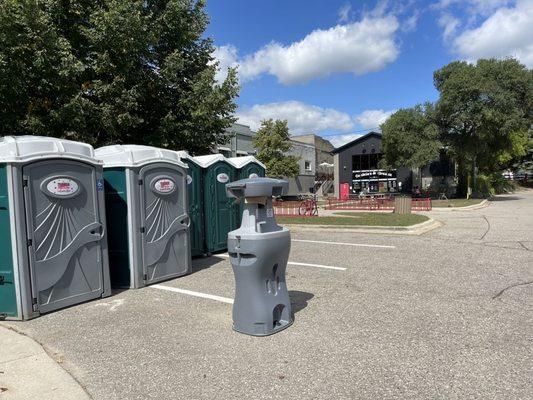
357	164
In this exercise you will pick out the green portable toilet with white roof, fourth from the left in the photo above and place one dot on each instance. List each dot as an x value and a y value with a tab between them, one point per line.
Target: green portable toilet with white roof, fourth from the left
220	212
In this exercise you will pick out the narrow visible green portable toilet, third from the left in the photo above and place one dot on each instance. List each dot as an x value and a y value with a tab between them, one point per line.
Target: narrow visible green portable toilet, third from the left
196	204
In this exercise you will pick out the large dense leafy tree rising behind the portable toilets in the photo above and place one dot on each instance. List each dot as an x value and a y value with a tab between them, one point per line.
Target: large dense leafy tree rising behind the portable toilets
112	71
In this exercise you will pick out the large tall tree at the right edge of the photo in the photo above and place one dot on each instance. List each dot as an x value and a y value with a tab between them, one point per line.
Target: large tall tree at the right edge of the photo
484	113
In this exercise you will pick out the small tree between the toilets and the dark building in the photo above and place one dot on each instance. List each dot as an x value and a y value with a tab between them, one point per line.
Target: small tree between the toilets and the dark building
272	142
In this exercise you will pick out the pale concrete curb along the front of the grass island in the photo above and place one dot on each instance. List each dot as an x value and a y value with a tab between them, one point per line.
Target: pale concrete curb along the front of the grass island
416	230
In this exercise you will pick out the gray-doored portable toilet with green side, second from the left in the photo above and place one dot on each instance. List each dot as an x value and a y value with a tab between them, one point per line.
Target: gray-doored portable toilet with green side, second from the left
146	201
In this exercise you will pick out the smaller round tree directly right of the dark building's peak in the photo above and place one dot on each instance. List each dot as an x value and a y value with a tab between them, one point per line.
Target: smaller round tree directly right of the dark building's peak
410	138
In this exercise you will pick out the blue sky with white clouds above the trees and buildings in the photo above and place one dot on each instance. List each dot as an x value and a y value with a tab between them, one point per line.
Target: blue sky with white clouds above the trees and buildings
340	68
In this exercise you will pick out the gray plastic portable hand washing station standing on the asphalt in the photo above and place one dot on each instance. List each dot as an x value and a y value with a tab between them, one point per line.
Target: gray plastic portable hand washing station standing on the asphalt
259	251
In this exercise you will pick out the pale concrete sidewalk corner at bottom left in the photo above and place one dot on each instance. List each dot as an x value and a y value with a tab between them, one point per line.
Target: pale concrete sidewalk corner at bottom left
27	372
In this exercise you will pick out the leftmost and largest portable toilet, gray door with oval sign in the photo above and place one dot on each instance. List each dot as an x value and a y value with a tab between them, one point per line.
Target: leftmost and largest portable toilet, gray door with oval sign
53	251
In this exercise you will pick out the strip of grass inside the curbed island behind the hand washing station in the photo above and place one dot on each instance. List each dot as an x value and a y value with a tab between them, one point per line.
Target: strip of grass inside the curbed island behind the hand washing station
358	219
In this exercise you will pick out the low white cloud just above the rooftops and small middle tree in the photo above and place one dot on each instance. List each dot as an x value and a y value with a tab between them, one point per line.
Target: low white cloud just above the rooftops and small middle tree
302	118
